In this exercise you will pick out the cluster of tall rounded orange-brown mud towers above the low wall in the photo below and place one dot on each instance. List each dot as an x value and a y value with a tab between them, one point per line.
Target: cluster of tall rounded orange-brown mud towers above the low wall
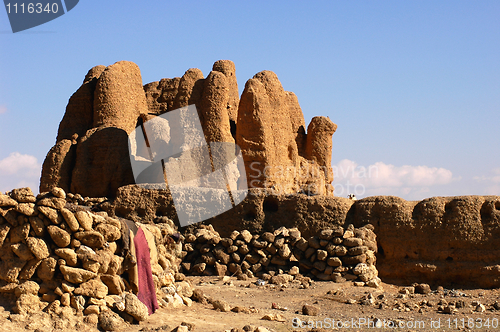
91	154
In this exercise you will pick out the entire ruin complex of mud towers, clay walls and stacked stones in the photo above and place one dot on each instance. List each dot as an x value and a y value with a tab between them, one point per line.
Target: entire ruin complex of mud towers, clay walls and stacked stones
71	248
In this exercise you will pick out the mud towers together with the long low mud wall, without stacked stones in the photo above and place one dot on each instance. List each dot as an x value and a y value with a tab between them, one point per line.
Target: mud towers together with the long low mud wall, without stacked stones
437	240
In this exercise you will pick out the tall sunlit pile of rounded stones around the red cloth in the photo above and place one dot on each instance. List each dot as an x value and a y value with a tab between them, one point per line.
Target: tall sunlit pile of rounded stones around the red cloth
58	255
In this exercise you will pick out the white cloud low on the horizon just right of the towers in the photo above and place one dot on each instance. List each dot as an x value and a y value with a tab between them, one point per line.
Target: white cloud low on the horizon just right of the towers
409	182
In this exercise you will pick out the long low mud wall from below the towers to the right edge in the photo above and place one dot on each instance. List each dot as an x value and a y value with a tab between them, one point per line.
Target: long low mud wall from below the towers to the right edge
440	240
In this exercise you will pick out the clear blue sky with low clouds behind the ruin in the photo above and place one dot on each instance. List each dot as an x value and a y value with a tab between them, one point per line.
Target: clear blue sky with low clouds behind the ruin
414	86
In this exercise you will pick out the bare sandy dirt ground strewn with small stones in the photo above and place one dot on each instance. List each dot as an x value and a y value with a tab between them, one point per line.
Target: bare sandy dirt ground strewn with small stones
340	306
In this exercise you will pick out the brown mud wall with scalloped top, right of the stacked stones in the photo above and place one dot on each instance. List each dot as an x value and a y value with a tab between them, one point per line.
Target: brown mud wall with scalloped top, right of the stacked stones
439	239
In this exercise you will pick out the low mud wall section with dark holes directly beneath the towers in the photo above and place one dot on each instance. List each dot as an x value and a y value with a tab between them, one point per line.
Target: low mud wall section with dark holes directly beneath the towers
258	212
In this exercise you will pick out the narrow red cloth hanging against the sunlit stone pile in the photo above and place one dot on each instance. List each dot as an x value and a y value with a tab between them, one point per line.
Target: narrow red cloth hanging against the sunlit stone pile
147	292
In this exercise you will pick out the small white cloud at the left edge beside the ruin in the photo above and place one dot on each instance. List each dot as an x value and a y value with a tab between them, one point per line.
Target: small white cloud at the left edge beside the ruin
19	170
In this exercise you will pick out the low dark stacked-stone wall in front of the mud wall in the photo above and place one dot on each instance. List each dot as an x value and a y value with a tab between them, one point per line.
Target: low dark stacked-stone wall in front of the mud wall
335	254
